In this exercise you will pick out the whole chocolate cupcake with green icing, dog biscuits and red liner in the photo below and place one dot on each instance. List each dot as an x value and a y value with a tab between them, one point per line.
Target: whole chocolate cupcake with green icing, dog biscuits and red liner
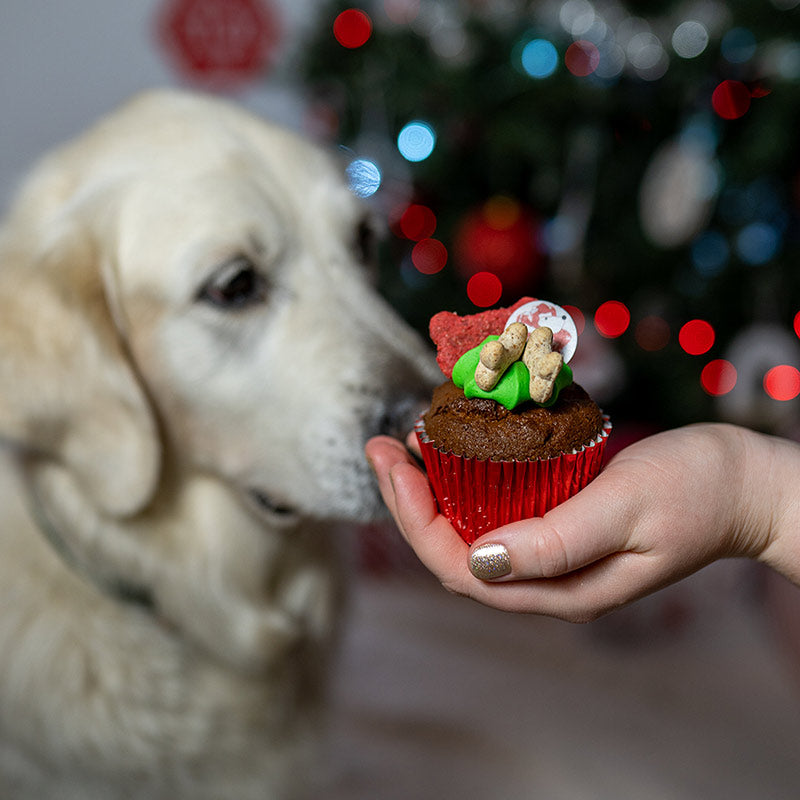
510	434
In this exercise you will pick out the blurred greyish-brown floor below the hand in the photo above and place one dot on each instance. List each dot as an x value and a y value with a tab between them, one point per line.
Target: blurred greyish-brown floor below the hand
687	695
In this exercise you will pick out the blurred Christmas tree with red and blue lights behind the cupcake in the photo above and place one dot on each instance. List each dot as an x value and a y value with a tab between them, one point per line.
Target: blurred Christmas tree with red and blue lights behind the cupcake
637	163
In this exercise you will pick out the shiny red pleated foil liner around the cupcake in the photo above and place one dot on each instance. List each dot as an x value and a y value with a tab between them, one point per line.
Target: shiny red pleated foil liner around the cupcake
478	495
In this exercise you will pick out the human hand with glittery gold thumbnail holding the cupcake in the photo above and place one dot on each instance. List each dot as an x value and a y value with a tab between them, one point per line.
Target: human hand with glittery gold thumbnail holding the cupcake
663	508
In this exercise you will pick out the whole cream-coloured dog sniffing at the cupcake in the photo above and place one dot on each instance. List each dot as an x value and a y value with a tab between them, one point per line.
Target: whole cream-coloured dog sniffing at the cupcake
192	355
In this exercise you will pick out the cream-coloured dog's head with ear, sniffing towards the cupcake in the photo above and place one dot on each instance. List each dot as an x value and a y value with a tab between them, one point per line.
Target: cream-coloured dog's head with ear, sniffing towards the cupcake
186	282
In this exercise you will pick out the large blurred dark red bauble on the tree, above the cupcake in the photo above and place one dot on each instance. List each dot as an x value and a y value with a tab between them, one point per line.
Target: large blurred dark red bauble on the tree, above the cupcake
501	237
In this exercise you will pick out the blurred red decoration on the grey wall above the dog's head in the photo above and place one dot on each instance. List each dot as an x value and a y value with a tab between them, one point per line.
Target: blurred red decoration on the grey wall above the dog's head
220	43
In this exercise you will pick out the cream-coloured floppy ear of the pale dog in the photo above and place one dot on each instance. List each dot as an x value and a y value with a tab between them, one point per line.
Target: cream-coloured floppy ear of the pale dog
68	389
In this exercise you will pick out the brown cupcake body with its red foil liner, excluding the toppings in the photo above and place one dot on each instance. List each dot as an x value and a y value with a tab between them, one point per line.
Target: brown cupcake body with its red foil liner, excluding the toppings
489	465
